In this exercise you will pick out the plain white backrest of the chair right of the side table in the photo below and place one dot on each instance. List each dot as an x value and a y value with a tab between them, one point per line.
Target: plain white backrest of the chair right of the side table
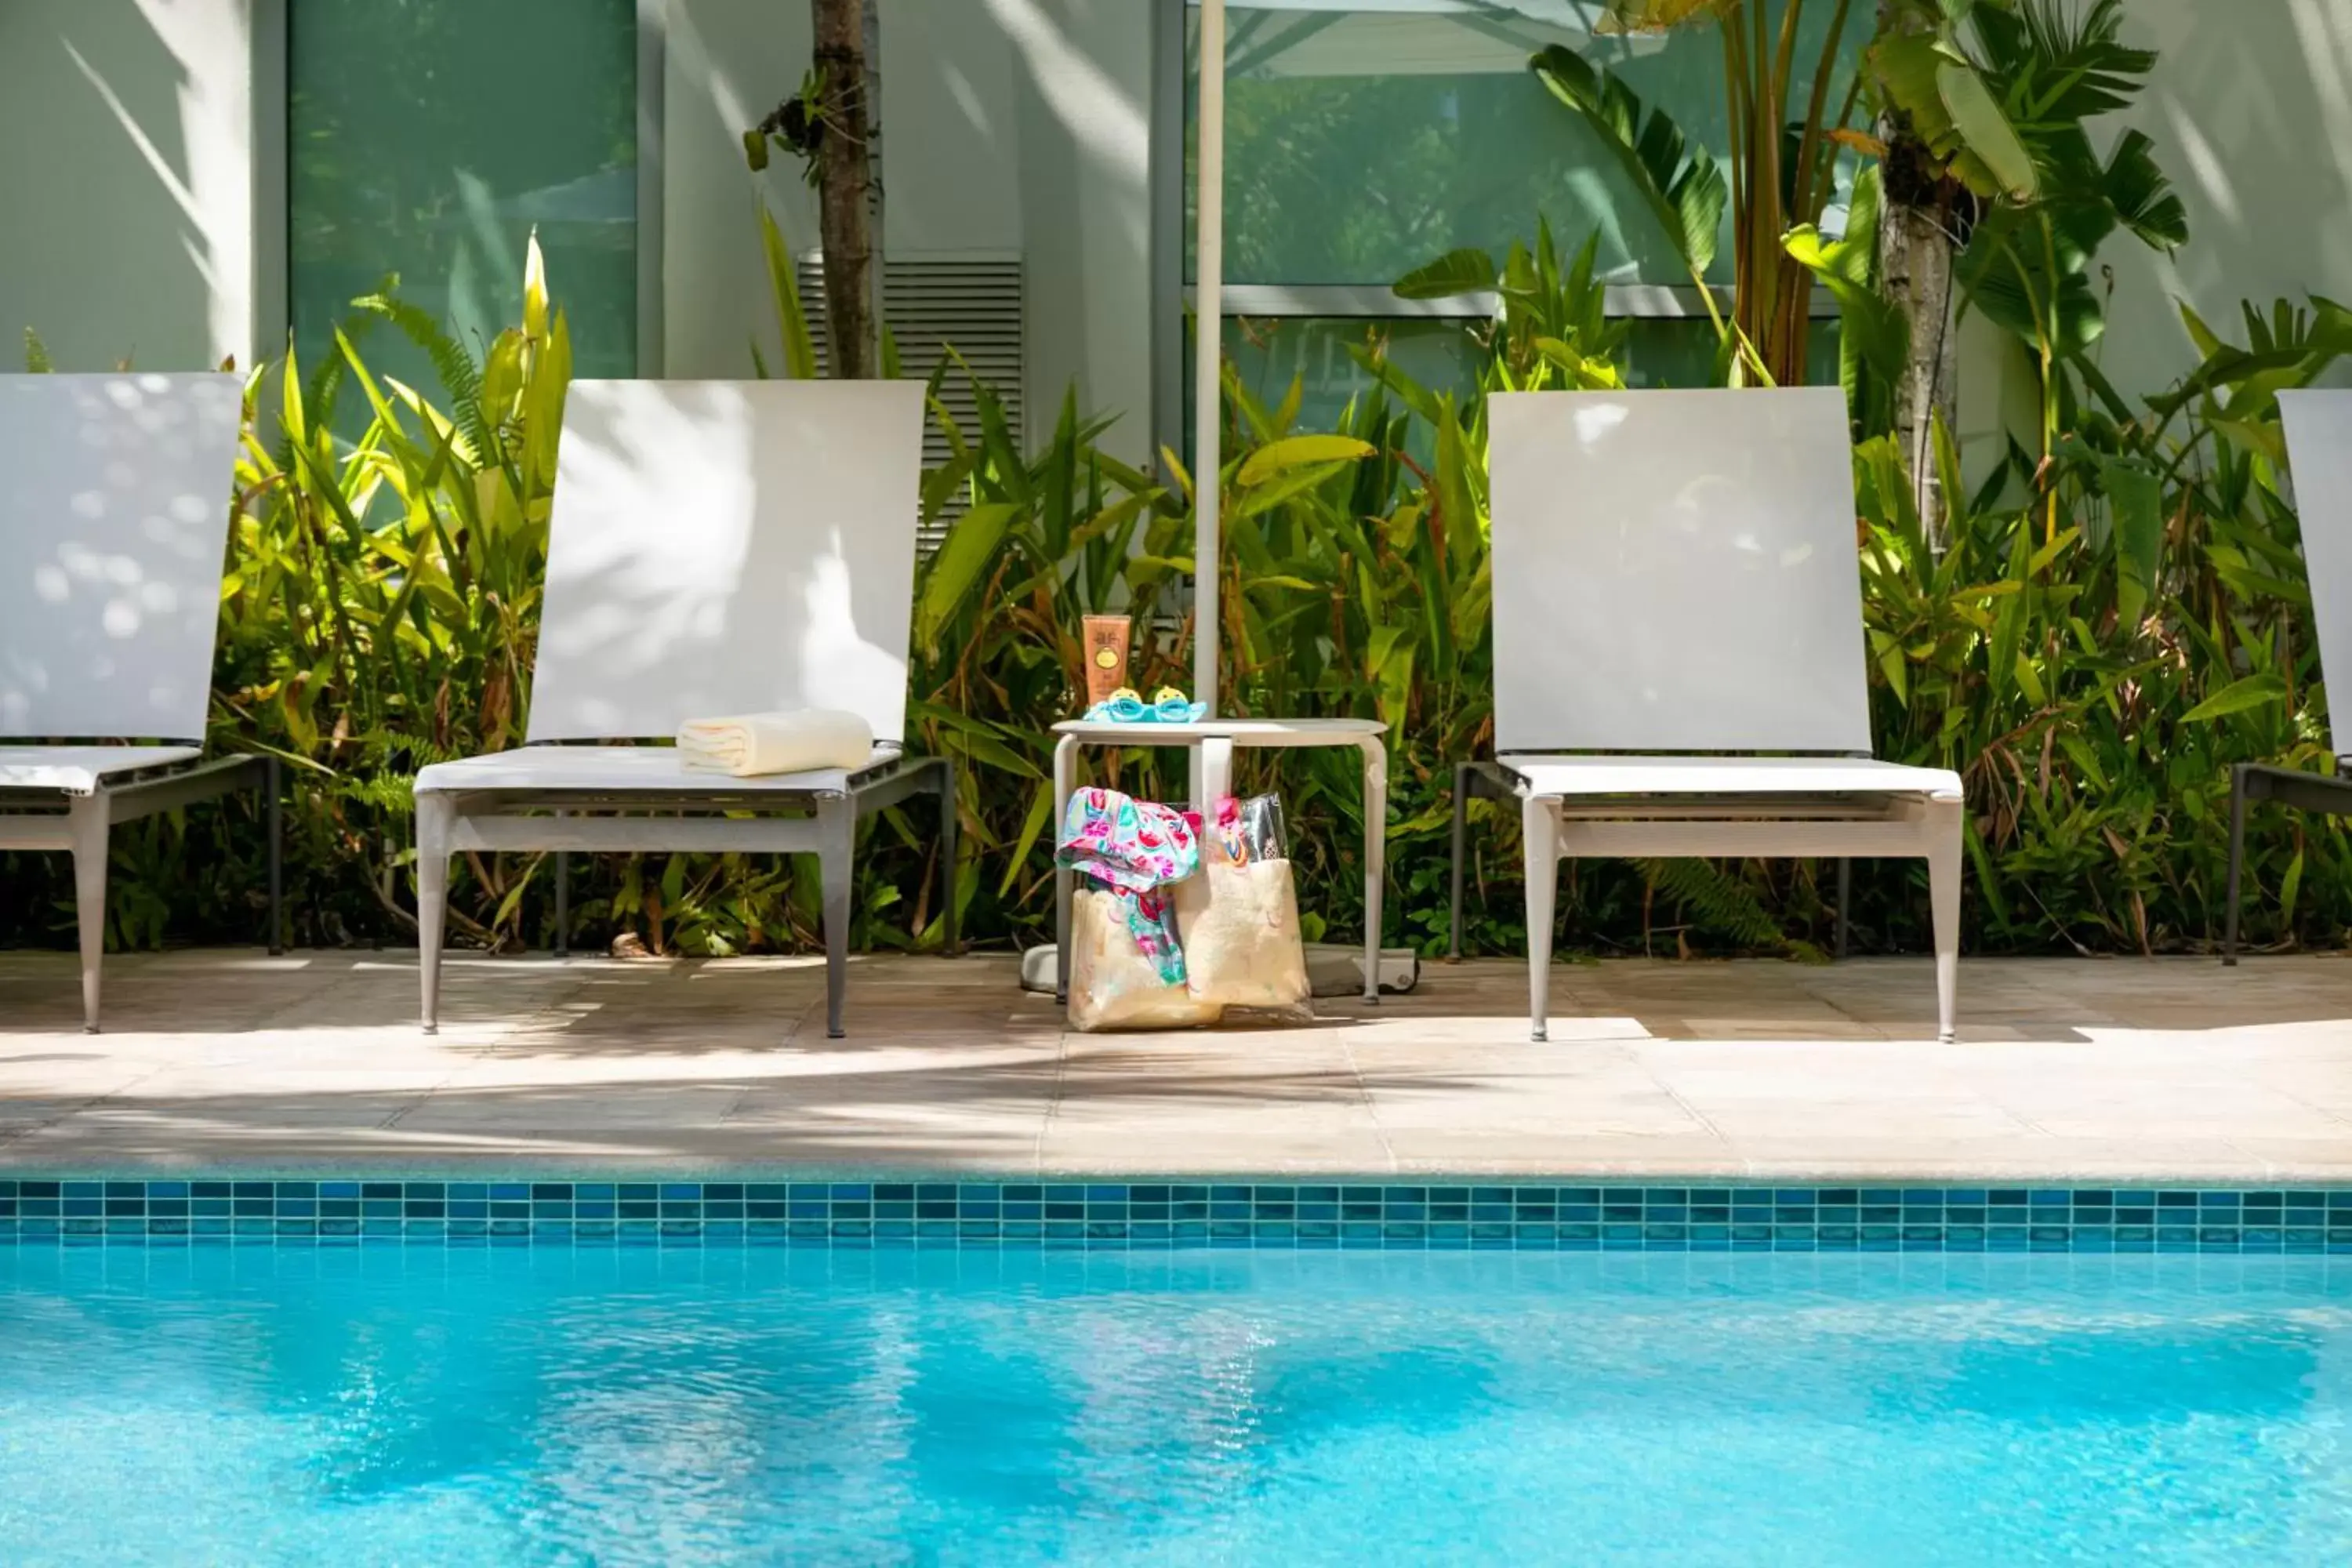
1676	572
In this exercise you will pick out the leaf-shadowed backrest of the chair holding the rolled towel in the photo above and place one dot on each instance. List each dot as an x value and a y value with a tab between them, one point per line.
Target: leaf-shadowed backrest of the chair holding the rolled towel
728	547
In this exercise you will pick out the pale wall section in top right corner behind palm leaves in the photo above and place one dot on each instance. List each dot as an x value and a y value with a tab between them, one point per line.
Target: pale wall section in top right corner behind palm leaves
2252	114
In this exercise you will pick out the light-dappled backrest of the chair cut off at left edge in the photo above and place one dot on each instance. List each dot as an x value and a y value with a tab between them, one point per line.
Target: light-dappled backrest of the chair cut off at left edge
114	521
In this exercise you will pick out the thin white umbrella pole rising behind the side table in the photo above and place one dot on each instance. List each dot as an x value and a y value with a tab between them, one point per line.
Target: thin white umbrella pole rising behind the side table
1208	340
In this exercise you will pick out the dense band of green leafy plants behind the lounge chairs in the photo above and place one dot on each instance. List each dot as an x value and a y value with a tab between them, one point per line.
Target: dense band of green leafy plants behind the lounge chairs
2092	683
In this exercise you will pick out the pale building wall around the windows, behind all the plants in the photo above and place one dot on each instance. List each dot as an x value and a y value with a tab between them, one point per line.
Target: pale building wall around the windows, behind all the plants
1010	128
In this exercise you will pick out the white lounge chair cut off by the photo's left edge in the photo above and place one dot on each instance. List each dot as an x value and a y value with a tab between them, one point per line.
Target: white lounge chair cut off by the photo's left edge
114	523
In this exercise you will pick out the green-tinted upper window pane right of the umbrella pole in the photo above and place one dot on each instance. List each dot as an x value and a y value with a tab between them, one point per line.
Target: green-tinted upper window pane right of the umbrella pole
1365	140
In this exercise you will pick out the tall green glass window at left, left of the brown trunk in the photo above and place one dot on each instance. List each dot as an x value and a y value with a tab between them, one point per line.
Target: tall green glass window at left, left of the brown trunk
429	138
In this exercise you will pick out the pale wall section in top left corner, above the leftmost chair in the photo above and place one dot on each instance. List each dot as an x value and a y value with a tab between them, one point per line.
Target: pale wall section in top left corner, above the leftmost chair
131	222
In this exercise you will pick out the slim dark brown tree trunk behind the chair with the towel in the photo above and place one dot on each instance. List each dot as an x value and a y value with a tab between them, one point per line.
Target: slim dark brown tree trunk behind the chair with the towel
846	187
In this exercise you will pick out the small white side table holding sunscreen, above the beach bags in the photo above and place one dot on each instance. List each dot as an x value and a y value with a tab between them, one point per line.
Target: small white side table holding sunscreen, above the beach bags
1210	772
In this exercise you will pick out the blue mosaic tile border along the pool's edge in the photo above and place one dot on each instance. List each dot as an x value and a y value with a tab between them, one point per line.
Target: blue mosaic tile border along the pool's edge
1175	1214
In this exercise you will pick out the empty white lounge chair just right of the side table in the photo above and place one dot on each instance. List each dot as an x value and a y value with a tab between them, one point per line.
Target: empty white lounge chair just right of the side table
1678	648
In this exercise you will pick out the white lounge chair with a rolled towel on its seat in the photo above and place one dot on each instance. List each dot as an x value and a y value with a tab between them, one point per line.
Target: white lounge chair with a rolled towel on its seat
716	547
